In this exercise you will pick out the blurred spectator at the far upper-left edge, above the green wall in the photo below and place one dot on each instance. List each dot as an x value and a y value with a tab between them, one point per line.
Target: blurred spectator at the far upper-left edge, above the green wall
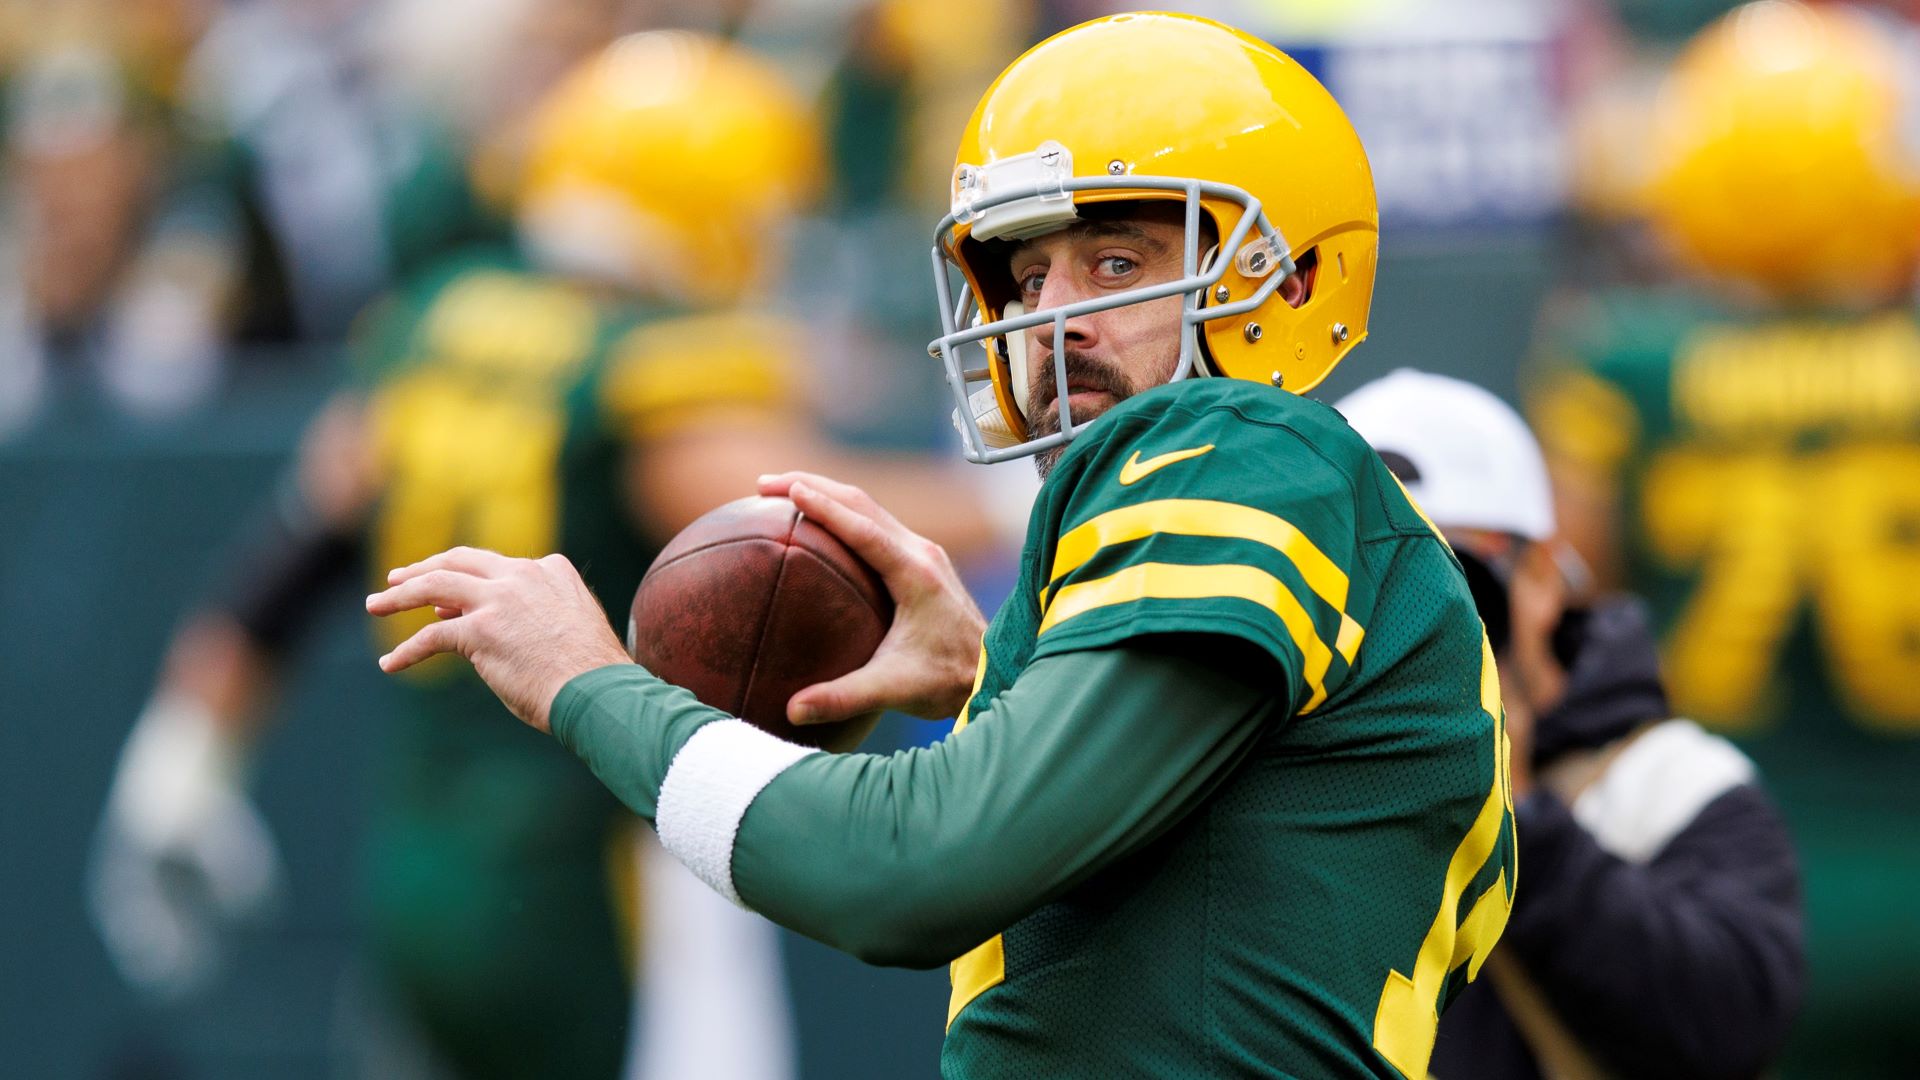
118	272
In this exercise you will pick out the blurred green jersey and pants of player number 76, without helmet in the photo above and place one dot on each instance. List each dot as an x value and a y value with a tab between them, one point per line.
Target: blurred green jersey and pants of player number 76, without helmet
1764	474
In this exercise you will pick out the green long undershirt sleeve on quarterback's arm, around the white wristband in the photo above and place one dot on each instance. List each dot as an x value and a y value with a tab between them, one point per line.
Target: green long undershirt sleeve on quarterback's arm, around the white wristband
917	858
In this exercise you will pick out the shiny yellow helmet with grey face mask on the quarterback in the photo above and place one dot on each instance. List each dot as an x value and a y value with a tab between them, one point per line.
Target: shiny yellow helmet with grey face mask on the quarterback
1159	107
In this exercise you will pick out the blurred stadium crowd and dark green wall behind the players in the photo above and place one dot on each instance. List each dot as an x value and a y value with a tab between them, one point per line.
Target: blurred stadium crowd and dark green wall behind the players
199	197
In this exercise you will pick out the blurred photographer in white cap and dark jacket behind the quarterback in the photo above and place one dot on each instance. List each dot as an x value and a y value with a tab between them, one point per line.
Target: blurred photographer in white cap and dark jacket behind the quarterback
1658	931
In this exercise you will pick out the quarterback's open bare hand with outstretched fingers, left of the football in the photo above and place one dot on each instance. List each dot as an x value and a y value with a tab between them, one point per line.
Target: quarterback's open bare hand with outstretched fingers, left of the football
527	626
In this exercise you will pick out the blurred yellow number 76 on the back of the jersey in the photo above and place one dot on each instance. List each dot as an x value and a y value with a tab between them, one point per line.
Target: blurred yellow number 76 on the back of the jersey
1771	531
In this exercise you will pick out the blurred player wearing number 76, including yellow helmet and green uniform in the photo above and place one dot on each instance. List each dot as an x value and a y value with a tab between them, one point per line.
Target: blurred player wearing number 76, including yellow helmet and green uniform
1744	451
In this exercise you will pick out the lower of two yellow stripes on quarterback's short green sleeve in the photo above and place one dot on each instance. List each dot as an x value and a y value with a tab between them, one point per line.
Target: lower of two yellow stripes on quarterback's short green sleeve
1170	581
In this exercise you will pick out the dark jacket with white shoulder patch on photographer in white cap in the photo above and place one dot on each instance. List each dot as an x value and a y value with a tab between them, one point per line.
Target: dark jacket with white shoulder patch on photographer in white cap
1668	954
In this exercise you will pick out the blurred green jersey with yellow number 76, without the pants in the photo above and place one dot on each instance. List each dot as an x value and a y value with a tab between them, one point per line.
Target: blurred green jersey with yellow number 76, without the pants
1765	481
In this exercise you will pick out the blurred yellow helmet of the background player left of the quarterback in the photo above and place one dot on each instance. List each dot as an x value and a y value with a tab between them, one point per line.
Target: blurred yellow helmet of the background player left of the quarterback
669	160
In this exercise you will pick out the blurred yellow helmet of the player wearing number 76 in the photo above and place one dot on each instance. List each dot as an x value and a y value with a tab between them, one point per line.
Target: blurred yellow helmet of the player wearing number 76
1785	155
